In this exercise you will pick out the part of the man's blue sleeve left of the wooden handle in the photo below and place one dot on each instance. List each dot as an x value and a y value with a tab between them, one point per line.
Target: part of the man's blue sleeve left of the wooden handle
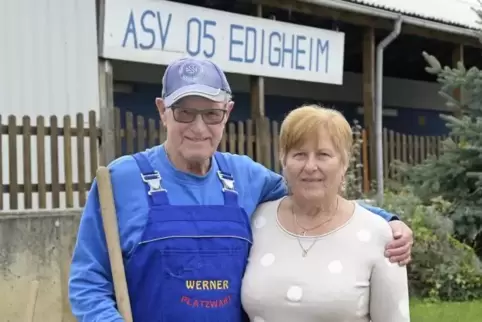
91	290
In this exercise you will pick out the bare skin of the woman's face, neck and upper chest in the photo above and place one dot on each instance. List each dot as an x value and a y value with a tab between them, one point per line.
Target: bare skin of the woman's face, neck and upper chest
314	172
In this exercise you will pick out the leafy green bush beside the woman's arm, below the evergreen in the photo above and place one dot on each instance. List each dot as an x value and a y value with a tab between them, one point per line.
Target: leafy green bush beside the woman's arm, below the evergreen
442	268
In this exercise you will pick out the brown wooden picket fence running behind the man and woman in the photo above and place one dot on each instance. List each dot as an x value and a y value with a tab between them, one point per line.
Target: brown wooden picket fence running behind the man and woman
52	165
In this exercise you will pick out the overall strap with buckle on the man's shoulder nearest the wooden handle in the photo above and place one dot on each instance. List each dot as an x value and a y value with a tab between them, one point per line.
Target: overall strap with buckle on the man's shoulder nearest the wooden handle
156	194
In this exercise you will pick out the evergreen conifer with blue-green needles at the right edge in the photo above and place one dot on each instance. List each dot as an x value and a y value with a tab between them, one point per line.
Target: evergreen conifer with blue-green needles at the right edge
456	175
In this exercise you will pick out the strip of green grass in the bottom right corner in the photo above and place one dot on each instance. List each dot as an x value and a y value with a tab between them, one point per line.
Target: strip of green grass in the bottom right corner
446	312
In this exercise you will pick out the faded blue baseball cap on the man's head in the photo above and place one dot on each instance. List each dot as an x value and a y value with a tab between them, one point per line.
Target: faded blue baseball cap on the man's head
194	77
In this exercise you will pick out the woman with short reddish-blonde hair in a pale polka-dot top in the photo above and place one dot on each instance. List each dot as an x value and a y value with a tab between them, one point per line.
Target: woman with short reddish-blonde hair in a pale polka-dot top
317	256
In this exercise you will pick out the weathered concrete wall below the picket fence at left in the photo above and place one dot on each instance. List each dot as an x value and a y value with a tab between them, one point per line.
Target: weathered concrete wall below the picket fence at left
36	246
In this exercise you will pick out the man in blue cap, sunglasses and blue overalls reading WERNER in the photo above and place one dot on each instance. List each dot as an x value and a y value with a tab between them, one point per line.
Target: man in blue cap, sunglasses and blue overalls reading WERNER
184	214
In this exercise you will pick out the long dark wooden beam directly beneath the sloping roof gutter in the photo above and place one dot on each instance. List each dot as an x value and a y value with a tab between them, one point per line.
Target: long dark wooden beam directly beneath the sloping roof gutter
366	21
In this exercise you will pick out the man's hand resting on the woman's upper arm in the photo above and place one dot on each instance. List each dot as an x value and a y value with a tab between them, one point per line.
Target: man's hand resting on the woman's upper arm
400	249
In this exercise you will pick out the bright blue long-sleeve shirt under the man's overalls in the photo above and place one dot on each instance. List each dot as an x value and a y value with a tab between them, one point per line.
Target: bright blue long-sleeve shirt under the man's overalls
90	285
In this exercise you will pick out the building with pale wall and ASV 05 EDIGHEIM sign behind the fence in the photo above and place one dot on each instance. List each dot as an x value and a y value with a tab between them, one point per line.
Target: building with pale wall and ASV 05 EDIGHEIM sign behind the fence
77	56
